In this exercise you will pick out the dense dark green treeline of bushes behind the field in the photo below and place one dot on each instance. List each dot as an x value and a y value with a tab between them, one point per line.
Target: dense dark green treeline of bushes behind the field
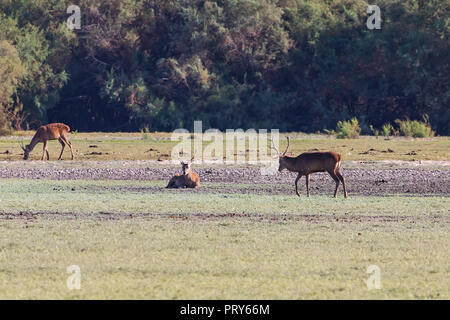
296	65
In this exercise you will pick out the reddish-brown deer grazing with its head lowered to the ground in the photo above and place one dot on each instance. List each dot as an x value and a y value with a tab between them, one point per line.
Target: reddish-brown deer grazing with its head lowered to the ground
50	131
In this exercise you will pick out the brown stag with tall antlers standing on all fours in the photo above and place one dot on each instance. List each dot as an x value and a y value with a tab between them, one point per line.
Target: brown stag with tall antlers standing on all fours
311	162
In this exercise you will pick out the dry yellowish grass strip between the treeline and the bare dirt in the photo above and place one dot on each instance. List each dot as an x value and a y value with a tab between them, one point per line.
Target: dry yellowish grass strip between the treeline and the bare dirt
146	146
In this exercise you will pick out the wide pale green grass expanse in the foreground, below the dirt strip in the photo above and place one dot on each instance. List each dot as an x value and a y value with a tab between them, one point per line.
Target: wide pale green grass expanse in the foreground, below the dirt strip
172	245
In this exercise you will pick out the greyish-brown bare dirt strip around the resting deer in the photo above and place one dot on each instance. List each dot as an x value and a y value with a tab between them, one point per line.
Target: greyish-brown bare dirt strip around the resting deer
378	179
